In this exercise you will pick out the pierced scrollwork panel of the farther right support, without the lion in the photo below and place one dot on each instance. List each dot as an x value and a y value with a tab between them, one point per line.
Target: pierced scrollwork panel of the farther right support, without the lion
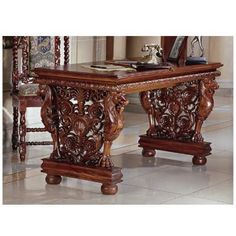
172	111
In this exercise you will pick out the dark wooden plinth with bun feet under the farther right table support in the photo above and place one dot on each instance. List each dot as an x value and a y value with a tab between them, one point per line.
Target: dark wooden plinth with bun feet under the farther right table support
198	150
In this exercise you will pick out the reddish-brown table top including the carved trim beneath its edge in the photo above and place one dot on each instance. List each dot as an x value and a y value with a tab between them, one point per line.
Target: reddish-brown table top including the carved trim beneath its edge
75	73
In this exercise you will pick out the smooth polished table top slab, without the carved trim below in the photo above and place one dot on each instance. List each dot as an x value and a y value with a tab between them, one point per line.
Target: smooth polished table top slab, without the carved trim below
77	72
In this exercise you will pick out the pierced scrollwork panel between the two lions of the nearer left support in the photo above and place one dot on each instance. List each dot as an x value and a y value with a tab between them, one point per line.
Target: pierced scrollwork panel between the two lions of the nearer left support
81	124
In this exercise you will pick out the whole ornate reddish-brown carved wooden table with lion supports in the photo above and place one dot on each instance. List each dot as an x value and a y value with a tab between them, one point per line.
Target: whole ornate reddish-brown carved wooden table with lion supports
83	112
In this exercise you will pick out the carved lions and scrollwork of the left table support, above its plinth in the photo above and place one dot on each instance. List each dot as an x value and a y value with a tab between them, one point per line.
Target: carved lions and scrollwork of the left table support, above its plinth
81	123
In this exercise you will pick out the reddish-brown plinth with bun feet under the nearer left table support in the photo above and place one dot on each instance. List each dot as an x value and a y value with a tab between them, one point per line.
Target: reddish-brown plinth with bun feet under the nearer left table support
108	177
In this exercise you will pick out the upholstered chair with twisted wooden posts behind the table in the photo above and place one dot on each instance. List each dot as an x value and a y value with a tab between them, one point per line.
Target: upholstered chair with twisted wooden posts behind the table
30	52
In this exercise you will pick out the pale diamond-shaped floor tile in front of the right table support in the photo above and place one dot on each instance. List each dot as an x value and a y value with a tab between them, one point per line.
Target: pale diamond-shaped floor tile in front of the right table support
178	179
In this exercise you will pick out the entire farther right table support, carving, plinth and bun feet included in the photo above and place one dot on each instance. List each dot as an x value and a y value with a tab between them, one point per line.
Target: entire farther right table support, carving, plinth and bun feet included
175	118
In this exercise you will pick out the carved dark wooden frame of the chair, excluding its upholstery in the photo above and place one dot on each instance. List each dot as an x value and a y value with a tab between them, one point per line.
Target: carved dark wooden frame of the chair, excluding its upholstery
23	75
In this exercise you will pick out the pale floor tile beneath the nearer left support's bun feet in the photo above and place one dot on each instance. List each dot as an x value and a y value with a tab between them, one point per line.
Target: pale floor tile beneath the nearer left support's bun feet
34	190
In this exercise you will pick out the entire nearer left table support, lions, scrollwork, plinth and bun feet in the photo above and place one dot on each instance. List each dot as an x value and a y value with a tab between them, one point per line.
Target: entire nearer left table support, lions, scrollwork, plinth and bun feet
82	122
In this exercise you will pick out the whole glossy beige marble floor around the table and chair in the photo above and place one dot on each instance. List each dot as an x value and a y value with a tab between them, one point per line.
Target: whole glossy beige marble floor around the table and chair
168	178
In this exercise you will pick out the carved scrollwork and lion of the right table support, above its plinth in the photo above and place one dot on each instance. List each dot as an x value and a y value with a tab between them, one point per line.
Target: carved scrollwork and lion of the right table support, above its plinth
178	112
